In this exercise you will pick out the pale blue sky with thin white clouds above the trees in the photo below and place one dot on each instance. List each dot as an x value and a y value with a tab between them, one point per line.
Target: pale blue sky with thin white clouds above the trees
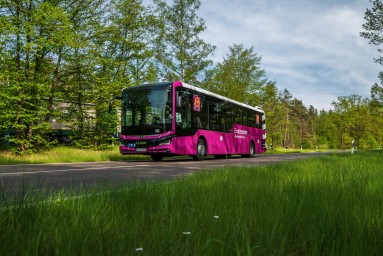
310	47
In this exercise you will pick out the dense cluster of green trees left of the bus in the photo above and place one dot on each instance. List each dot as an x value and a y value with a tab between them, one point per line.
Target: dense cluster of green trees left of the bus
62	60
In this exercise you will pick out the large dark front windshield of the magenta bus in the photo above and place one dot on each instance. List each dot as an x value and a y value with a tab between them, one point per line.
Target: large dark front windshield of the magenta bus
147	110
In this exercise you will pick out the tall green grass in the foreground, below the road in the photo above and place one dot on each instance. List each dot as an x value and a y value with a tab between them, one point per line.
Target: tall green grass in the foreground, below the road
330	205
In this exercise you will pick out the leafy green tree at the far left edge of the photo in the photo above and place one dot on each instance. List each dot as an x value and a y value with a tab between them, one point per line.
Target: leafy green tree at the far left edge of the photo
31	32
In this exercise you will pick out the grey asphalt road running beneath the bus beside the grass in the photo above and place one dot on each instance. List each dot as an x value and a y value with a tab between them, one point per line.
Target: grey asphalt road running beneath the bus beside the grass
15	180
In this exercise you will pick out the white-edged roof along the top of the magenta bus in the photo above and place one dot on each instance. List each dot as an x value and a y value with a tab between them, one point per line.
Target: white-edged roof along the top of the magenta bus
198	89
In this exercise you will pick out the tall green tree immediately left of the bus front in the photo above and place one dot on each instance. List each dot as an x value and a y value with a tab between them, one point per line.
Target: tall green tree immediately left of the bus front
123	58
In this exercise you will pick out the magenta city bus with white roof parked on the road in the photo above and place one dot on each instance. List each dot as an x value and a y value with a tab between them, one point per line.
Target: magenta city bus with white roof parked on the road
175	118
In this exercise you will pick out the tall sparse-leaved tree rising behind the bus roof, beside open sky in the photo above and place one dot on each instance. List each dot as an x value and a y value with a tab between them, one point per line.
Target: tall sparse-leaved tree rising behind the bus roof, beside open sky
182	54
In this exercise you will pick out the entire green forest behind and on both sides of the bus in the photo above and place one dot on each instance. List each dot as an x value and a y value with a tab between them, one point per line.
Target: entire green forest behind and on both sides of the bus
61	61
